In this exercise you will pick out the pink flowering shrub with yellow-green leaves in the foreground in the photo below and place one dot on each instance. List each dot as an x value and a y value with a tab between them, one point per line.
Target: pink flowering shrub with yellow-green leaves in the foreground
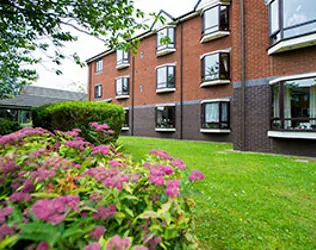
59	191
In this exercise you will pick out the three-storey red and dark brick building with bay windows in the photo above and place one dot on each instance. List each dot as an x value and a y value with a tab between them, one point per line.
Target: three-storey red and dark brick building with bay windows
241	71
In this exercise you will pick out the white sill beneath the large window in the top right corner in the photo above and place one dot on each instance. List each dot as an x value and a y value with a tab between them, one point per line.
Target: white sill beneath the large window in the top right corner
293	43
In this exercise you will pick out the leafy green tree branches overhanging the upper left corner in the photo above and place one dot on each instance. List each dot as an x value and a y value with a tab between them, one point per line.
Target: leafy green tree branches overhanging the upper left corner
30	25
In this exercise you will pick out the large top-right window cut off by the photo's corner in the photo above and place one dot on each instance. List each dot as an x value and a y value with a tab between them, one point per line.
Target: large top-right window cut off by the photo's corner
291	18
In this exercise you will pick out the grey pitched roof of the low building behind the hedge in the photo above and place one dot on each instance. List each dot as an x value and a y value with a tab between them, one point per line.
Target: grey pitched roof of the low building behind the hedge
36	96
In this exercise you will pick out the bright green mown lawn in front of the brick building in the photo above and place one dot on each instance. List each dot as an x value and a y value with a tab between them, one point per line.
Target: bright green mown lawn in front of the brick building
248	200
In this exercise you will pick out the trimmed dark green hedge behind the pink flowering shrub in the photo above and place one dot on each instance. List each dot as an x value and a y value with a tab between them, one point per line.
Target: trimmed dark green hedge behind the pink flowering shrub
78	114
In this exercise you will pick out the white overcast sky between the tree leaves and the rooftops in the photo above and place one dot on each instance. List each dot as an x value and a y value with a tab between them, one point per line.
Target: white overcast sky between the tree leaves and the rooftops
87	46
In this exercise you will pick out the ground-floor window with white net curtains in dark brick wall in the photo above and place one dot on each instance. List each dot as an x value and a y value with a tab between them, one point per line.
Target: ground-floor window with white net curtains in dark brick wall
215	115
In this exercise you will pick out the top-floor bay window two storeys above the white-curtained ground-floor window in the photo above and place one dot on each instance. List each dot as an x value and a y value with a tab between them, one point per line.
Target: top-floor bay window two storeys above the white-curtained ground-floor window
215	23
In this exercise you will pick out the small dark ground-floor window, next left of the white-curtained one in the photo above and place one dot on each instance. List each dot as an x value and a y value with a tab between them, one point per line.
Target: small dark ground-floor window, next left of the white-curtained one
166	117
